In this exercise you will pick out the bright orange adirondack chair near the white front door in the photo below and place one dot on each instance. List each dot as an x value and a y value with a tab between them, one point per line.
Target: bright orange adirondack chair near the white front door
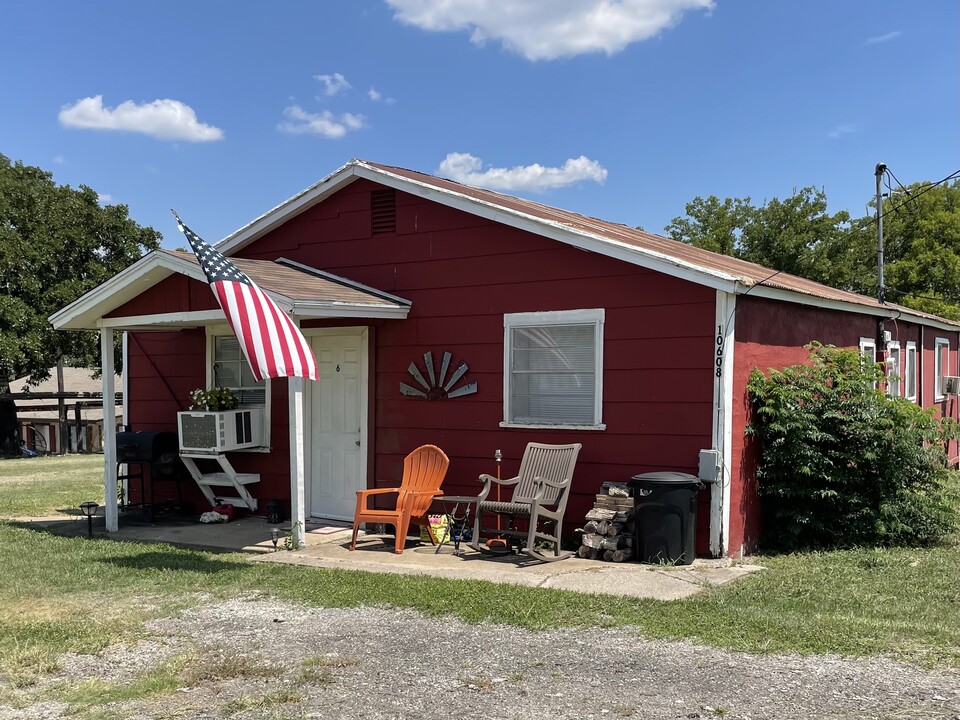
423	472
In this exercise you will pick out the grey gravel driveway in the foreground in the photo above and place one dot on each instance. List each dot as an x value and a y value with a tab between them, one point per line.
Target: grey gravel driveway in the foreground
382	663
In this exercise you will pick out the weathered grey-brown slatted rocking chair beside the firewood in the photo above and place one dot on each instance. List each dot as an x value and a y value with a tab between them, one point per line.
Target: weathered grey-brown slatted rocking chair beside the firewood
540	492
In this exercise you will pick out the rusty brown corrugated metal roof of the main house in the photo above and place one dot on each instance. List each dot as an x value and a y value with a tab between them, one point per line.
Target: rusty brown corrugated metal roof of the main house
747	273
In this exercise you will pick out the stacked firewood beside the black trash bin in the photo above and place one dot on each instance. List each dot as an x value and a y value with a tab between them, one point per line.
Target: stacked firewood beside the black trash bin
608	530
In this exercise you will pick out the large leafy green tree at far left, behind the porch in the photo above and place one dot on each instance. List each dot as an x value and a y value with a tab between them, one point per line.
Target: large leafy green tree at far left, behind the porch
56	243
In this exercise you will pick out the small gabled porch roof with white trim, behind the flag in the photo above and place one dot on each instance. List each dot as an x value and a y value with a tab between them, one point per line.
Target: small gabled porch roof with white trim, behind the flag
302	291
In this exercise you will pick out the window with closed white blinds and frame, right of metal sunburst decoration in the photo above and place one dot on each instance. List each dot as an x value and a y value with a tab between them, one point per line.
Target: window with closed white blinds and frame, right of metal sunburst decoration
553	368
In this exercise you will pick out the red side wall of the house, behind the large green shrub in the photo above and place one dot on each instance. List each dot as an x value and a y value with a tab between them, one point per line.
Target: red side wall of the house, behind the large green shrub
772	334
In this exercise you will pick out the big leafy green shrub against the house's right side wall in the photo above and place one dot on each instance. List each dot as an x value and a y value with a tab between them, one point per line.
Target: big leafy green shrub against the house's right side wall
844	465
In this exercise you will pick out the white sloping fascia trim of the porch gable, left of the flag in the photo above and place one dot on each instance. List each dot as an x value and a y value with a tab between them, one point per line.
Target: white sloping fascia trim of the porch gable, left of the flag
85	312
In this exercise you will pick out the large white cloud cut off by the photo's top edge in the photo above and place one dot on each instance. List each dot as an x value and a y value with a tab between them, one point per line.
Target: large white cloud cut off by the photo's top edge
548	30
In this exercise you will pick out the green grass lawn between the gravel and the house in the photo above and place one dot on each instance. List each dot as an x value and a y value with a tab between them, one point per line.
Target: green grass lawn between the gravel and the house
62	594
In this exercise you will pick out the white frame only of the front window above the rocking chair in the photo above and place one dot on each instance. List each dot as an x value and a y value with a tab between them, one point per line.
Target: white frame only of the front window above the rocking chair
593	317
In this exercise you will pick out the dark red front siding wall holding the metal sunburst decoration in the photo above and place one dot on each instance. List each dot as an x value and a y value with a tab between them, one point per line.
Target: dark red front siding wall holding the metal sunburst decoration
462	273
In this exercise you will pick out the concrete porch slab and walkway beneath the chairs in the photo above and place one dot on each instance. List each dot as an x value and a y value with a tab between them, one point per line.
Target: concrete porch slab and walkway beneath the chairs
327	546
